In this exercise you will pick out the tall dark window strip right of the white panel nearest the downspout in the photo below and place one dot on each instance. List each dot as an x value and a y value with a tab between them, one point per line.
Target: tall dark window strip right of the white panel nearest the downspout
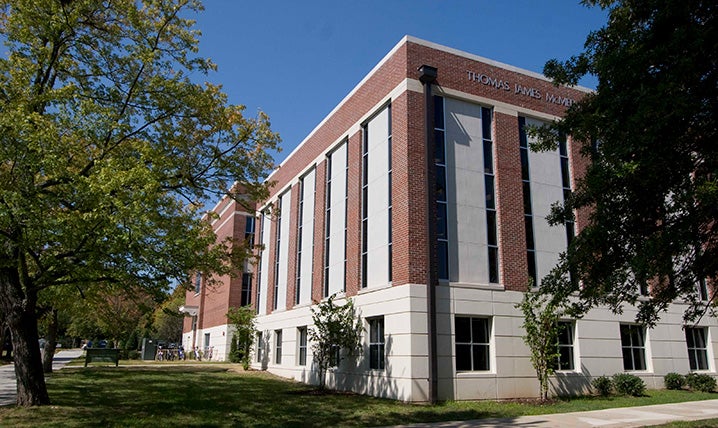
490	192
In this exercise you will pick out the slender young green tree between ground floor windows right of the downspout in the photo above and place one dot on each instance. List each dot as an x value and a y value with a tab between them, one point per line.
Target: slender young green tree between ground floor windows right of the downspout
541	314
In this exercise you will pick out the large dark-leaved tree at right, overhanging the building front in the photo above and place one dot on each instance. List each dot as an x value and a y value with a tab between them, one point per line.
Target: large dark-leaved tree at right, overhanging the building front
650	192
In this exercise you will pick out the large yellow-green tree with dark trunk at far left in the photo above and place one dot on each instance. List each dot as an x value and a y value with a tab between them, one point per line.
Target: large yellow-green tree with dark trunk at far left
108	150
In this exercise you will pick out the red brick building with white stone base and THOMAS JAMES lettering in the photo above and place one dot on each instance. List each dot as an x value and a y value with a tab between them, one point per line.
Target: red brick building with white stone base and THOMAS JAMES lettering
350	215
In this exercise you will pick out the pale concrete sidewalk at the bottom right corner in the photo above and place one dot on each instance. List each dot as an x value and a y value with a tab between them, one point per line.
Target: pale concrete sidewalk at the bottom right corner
611	418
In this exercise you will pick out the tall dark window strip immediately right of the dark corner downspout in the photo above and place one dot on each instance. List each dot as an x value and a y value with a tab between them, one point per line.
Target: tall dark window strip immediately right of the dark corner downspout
442	230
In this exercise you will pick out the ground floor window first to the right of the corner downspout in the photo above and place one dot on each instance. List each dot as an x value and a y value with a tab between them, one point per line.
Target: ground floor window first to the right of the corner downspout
472	336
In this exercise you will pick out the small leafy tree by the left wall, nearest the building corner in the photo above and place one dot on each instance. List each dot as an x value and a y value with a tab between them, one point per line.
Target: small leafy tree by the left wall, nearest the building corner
336	329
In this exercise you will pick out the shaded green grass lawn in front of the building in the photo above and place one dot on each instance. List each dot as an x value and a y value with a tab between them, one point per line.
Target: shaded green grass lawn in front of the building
224	395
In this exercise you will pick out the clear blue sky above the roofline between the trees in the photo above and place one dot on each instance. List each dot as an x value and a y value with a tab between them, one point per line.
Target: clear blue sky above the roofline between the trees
296	60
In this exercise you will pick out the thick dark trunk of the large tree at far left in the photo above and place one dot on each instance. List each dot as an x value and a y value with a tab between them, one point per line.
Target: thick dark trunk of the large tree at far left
19	307
